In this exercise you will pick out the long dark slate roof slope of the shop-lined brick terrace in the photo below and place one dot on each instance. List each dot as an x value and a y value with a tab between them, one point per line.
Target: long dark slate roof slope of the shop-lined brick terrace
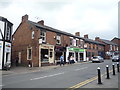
63	32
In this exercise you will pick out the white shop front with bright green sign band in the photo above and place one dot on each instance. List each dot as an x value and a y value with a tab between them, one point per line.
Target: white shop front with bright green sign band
77	53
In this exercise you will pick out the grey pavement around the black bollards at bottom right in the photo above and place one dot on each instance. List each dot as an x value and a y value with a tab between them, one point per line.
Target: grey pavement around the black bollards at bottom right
106	83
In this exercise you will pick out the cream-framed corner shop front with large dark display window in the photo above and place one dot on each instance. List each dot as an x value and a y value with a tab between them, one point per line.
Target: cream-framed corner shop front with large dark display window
46	55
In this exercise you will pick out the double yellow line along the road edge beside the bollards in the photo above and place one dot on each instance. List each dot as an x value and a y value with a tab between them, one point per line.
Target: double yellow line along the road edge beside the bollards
85	82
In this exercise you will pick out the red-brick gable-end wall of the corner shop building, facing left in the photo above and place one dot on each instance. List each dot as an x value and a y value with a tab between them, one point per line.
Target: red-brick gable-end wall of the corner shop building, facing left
22	40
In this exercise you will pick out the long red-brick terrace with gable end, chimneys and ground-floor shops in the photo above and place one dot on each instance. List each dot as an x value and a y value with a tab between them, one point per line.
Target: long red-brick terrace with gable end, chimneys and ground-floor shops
43	45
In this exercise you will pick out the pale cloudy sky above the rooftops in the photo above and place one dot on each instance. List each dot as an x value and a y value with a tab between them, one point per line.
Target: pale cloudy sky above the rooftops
97	18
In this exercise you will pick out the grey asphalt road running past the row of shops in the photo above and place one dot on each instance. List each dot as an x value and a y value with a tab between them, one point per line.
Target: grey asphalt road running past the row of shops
60	77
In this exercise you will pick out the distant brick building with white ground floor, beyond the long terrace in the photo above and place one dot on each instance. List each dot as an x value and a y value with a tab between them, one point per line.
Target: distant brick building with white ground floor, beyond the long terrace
110	47
